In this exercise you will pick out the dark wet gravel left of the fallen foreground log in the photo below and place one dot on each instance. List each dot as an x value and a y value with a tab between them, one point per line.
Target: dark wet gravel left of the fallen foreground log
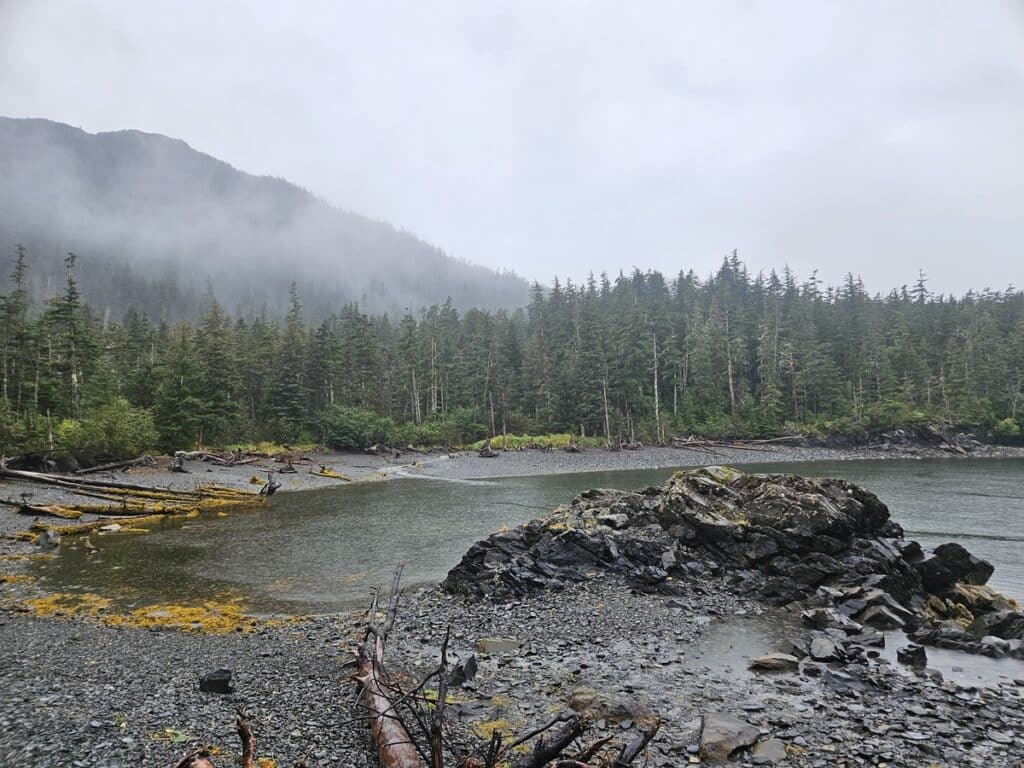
75	694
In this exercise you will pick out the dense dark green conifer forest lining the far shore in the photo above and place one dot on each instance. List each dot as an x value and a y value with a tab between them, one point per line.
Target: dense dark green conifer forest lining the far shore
637	358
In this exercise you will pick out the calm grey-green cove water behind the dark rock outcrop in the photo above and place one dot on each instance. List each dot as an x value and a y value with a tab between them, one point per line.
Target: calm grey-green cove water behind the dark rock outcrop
318	551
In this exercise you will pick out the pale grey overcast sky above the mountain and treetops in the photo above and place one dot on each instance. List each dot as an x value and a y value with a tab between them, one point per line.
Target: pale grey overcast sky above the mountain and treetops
553	138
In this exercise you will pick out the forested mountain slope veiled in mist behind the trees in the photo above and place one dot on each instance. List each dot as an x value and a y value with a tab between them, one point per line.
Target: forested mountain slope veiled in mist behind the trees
158	226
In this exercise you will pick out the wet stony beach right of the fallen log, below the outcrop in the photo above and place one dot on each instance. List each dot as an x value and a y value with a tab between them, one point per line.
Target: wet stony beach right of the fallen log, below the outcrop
685	658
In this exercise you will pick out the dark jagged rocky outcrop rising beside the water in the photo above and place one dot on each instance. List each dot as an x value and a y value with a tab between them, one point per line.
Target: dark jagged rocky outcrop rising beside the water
826	547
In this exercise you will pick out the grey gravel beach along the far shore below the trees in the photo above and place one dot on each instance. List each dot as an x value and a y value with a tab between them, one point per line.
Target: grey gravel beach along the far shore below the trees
355	468
